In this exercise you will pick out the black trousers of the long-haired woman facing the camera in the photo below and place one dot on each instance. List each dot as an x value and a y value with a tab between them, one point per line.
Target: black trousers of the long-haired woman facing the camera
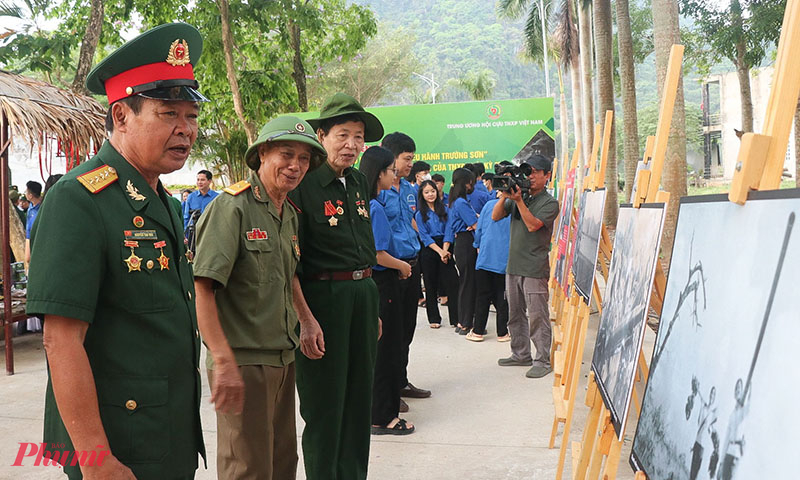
441	279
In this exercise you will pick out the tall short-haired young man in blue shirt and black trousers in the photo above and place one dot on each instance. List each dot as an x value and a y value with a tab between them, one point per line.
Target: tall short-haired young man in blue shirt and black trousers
400	203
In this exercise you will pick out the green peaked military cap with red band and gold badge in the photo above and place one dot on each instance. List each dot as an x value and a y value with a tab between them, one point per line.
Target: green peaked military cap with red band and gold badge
156	64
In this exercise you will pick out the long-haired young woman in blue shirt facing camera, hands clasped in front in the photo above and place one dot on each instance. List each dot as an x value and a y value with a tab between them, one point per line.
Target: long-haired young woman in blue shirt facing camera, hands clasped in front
436	259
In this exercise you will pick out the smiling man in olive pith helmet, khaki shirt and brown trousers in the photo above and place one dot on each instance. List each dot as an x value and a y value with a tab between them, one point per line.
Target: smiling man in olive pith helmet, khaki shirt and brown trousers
247	254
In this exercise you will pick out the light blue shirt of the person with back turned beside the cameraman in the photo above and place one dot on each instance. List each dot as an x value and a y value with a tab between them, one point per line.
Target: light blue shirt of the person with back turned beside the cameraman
492	239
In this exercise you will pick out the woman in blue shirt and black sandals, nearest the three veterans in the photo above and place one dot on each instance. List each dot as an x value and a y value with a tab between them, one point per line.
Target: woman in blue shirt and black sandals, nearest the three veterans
377	164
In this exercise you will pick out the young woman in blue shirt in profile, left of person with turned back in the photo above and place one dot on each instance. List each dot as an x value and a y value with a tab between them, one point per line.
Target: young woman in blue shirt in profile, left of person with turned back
462	220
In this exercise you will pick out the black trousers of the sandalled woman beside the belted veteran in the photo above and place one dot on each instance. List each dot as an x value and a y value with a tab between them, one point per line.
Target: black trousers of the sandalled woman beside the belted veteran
386	387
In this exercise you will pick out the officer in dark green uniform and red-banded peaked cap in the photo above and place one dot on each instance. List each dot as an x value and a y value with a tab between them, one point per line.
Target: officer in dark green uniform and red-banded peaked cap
110	276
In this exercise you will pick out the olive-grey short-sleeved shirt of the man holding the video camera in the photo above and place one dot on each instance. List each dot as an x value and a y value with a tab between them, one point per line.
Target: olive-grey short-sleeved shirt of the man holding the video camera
528	253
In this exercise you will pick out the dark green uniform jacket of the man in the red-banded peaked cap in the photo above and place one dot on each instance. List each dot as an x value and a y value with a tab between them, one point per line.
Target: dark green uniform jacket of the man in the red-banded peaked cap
143	344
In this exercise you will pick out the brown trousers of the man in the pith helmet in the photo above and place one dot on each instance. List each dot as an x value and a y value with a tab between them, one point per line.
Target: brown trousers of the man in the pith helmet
261	443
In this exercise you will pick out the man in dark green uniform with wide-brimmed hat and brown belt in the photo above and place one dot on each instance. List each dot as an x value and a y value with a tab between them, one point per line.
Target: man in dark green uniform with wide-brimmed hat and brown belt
339	334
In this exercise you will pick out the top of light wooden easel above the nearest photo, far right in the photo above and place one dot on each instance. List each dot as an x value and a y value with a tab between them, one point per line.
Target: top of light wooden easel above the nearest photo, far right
761	156
